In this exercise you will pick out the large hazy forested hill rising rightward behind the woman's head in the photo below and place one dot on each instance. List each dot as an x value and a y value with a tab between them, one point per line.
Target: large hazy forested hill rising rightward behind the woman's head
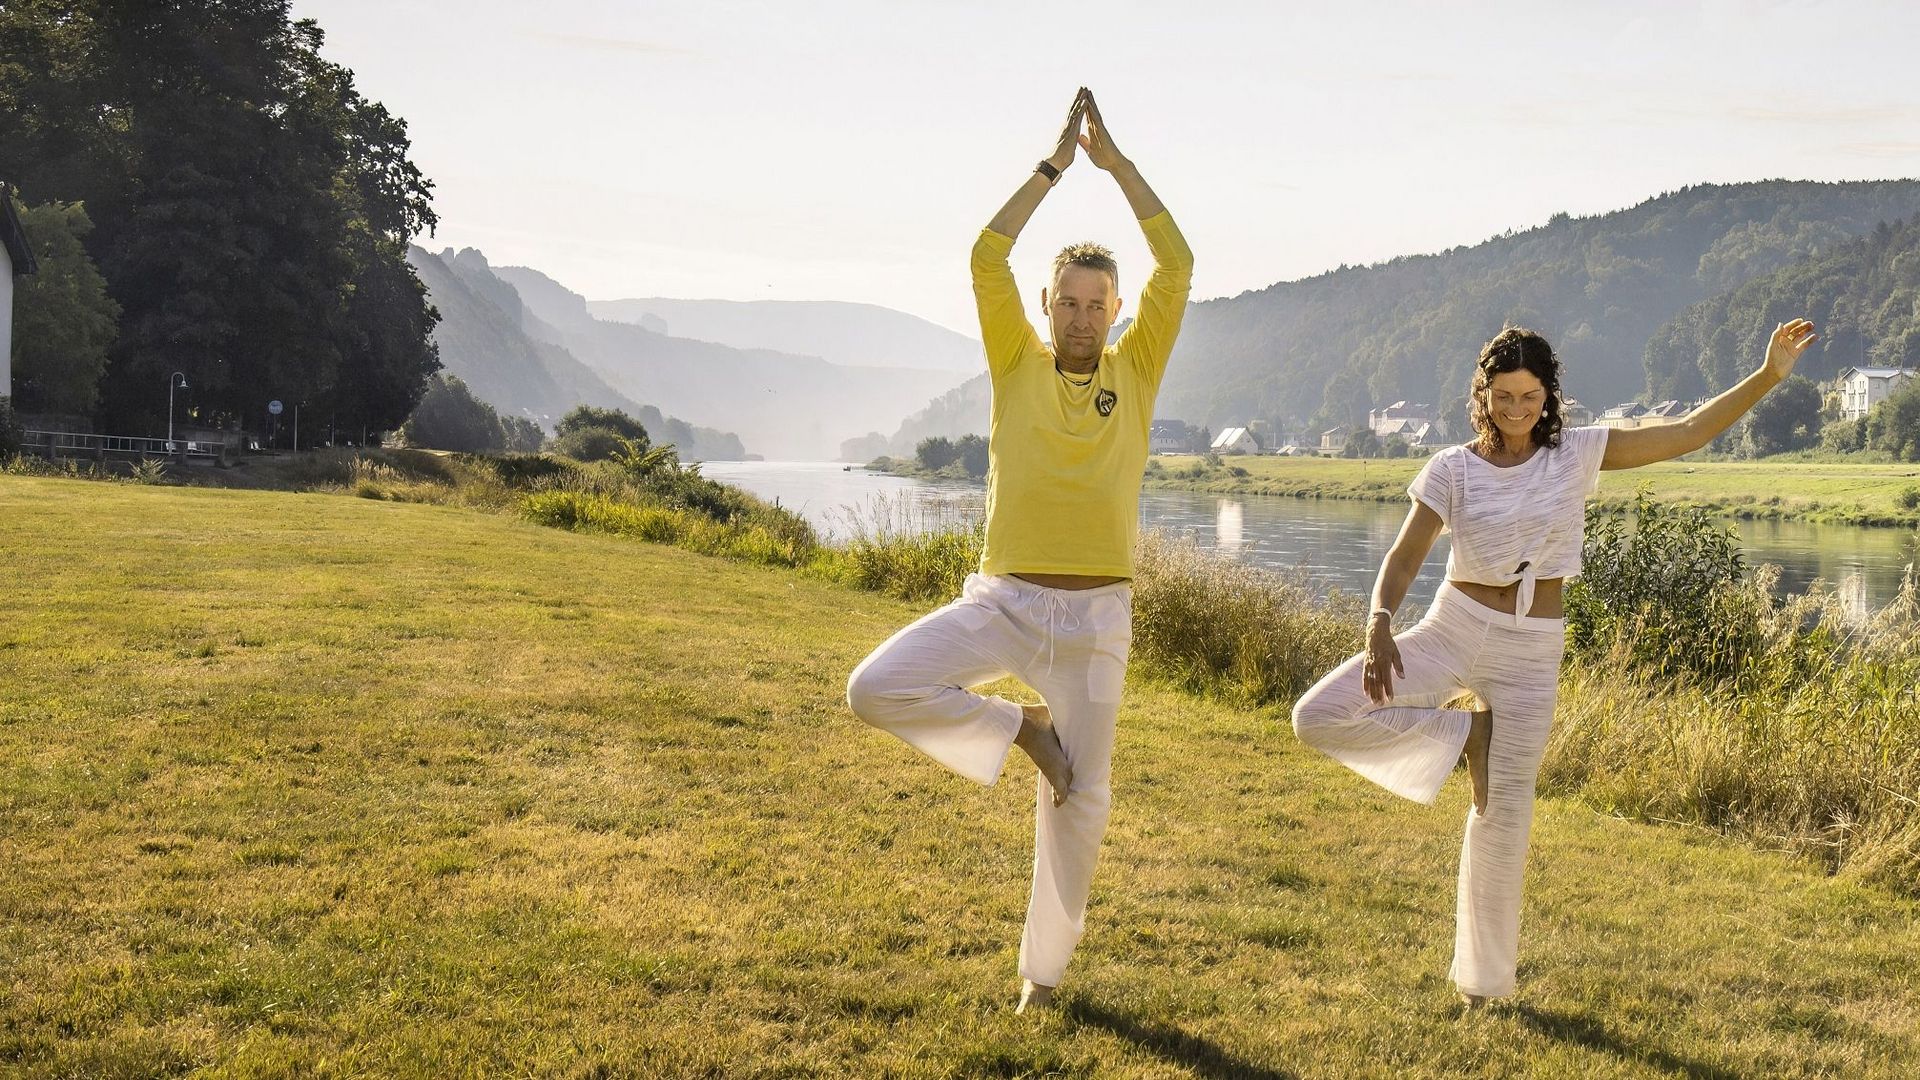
1324	349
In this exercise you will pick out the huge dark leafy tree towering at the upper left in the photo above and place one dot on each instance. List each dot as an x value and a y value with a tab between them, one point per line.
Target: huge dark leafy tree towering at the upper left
252	210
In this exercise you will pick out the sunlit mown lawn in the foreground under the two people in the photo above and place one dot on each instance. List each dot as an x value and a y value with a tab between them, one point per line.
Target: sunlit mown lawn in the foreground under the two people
325	787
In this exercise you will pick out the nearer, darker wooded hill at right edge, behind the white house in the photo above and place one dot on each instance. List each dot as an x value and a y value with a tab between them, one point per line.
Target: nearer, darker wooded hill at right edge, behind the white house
1863	297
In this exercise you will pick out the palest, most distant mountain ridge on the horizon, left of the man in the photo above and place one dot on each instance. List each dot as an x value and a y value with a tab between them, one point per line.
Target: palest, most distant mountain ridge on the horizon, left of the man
850	335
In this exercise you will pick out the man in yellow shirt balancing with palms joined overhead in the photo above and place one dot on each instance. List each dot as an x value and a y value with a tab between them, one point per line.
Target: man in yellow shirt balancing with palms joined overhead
1051	602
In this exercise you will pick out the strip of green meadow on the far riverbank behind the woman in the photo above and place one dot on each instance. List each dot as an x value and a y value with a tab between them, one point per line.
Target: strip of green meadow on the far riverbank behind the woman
1806	491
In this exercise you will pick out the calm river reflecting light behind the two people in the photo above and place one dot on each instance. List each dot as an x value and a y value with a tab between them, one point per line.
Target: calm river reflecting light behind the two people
1337	543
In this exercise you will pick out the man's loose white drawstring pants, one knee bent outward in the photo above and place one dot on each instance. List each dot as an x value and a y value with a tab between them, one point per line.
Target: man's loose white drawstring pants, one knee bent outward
1067	645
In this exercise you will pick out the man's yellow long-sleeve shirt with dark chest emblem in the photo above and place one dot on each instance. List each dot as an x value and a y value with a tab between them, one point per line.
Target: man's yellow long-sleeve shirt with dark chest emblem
1065	460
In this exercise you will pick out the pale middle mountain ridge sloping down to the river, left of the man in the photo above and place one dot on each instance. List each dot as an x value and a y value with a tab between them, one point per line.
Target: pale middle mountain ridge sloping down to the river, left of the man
782	405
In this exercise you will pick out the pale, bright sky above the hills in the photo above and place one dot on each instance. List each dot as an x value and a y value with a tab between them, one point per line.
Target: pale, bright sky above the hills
852	149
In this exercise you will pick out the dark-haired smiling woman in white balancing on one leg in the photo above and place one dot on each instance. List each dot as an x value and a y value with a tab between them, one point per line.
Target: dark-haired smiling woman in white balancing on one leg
1514	503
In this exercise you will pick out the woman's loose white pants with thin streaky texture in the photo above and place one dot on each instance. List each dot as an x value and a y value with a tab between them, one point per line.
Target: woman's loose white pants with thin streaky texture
1410	747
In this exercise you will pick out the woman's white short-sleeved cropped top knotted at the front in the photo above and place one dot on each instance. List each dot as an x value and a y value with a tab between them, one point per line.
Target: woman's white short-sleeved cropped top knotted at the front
1520	524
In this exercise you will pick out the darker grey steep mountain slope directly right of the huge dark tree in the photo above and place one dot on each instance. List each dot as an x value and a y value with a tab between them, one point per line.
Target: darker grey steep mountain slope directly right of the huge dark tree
485	341
